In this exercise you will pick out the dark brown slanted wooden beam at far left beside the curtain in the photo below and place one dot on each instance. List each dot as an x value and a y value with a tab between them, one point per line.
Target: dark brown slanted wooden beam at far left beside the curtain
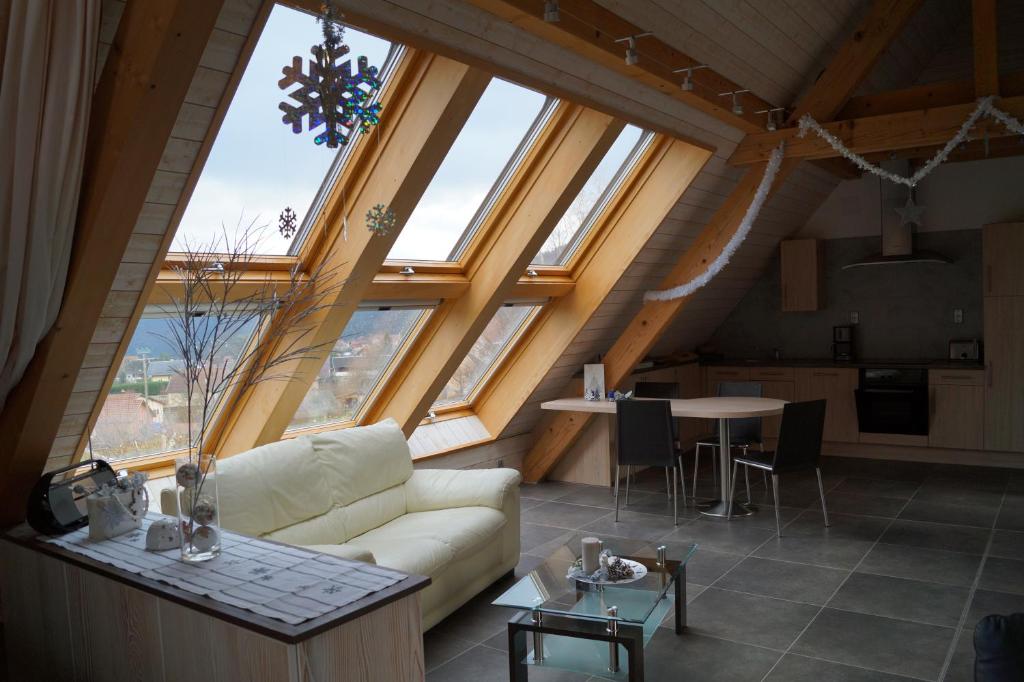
155	55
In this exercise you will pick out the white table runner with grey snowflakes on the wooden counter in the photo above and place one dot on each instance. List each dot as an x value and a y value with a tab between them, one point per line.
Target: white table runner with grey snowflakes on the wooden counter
289	584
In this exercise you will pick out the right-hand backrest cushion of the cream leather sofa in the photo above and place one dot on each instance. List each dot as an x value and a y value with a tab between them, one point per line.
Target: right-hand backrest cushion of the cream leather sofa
359	462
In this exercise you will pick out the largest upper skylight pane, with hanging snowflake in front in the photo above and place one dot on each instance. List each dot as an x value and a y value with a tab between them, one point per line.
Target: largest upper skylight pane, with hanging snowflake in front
258	166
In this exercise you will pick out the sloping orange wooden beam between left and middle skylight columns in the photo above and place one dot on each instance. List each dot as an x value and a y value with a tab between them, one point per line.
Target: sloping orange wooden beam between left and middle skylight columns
429	102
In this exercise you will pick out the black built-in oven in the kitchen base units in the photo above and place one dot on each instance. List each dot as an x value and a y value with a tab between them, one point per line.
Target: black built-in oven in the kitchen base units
893	401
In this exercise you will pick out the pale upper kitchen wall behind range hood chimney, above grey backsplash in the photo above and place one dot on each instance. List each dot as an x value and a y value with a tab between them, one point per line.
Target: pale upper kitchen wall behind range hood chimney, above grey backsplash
957	196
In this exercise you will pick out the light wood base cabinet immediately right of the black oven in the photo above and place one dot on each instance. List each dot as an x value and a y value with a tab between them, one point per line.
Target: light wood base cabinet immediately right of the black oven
957	409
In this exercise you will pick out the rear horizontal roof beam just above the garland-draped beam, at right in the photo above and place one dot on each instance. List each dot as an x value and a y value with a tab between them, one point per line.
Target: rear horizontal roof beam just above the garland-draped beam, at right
925	97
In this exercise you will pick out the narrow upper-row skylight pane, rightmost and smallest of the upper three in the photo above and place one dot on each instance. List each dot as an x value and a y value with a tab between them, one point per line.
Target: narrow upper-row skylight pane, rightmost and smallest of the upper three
594	197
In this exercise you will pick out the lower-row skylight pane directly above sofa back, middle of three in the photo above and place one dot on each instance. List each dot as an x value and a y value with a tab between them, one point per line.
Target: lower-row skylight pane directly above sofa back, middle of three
372	343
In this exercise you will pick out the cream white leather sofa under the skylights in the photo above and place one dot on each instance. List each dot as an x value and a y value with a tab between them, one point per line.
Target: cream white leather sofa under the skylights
354	493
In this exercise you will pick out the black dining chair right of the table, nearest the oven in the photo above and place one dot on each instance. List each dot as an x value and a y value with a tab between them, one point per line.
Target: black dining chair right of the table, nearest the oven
799	450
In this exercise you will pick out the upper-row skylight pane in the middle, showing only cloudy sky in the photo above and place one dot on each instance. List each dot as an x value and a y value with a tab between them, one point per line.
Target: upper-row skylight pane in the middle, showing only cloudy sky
484	157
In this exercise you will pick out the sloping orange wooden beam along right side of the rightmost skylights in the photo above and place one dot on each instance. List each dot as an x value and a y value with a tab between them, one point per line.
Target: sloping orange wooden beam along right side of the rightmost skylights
661	178
